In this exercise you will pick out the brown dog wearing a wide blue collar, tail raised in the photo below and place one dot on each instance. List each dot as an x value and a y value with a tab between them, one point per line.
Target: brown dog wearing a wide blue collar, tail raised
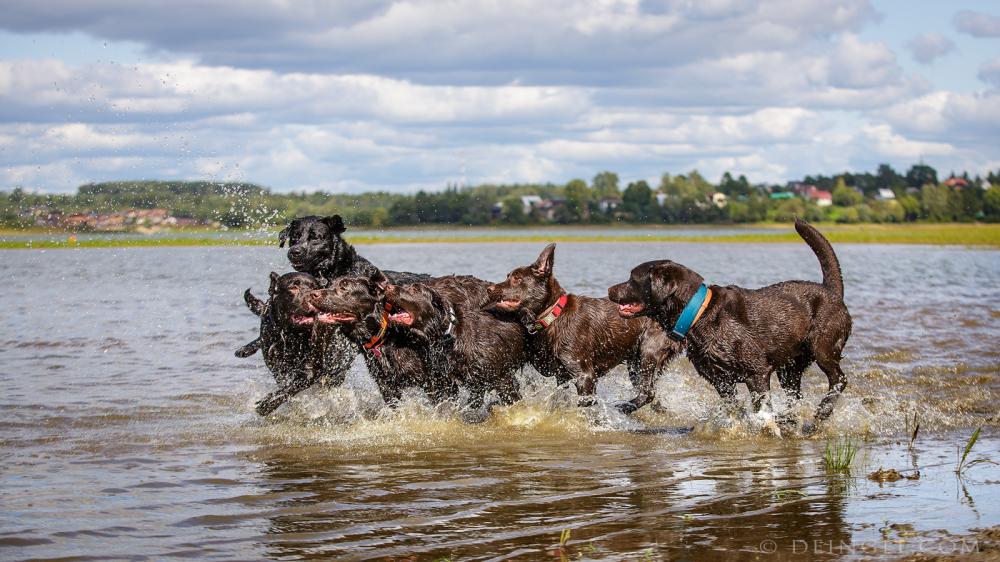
744	335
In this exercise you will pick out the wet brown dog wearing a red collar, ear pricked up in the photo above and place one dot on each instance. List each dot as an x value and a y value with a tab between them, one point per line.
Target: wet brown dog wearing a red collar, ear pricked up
581	338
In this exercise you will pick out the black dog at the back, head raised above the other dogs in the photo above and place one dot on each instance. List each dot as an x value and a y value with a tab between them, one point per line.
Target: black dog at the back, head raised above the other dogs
316	247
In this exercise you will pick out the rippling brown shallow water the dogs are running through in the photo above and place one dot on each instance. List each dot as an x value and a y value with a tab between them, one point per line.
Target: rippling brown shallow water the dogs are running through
127	429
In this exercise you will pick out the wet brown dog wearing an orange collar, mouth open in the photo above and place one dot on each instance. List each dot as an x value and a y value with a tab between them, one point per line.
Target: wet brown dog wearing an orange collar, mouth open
355	307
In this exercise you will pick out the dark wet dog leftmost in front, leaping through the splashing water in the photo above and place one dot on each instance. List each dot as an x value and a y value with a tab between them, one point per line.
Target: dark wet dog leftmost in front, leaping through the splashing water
292	351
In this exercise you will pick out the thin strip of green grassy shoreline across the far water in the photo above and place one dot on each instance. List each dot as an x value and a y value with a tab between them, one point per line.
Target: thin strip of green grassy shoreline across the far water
983	235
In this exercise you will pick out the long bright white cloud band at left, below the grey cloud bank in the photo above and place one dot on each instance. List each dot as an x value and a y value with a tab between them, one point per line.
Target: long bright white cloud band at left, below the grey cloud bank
186	90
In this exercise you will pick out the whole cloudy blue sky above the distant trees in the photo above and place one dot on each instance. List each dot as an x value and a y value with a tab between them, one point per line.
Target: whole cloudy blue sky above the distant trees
408	95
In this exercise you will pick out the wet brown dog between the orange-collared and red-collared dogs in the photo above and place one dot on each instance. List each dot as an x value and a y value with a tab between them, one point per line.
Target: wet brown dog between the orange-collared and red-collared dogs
445	322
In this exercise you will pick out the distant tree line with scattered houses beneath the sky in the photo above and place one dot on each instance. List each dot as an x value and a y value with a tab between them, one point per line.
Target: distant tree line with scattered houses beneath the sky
883	196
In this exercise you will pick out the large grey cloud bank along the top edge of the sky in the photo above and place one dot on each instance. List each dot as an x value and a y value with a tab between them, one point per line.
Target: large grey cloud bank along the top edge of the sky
557	42
